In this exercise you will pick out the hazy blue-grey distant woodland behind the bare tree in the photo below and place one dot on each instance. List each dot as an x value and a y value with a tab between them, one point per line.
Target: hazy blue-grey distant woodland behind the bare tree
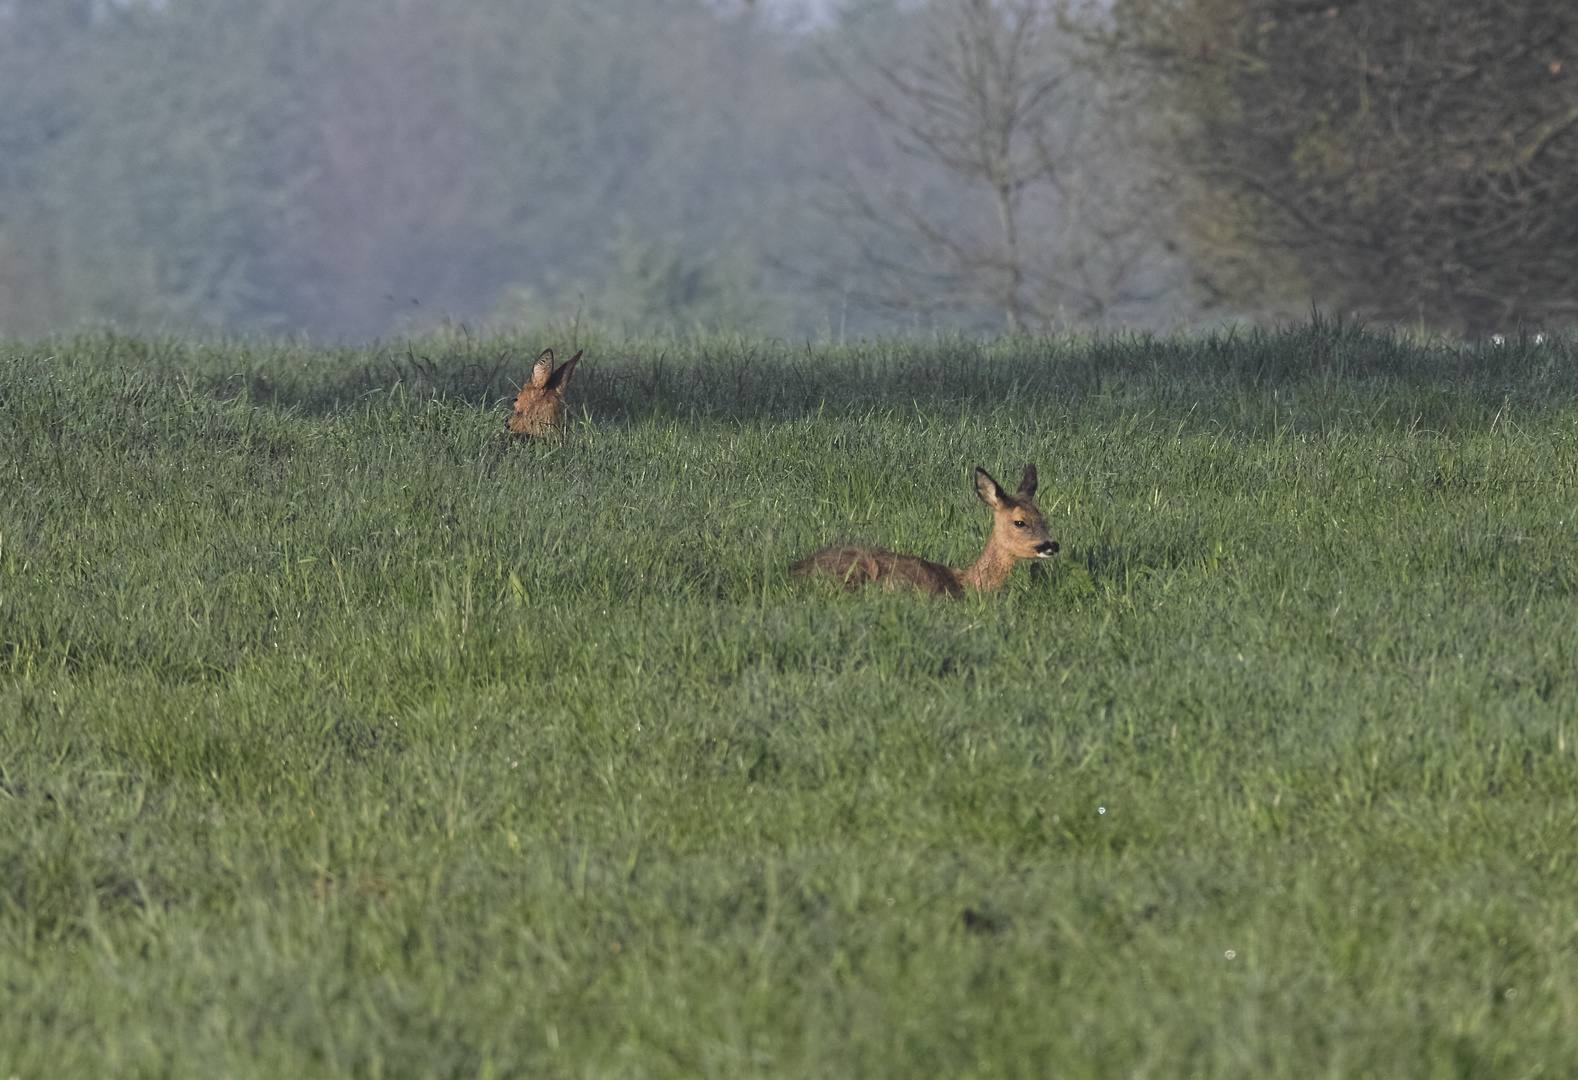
357	170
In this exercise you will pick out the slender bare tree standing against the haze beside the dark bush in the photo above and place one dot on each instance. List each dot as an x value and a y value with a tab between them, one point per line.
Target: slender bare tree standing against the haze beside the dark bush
1022	203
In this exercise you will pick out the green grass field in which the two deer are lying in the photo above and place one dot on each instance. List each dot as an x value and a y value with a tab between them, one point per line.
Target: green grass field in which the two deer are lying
342	740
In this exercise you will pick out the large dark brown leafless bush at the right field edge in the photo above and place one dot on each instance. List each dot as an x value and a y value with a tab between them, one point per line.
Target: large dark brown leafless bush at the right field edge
1408	160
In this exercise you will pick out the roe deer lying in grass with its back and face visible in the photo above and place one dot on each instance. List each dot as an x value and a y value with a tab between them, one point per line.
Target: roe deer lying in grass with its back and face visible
1019	531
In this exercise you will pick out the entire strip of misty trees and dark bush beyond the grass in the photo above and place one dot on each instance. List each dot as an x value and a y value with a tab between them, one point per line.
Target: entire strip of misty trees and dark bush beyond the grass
361	168
